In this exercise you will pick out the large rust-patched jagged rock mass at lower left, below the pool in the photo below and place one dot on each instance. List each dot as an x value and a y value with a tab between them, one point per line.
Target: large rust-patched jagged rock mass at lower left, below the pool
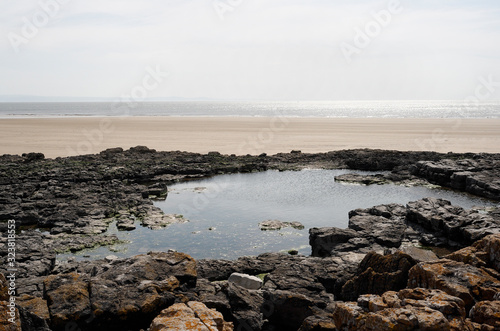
118	294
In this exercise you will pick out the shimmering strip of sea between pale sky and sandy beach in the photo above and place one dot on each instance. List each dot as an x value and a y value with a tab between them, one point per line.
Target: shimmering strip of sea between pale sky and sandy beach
352	109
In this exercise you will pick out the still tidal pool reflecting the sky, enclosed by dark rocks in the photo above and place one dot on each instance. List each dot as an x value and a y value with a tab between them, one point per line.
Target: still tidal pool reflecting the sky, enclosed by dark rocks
224	212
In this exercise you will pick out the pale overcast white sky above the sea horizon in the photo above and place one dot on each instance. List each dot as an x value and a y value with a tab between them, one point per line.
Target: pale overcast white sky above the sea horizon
251	49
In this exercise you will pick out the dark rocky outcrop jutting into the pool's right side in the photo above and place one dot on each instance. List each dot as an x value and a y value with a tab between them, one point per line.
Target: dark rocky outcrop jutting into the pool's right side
429	222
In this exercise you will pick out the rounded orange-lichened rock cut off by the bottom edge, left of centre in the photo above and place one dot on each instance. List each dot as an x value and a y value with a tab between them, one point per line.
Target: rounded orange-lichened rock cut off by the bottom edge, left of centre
190	316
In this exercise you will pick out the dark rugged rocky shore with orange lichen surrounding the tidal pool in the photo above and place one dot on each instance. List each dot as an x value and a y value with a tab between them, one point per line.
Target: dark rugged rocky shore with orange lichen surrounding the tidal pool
426	265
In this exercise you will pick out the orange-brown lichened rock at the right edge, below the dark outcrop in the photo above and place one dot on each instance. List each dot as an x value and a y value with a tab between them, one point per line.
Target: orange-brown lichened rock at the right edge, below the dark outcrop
464	281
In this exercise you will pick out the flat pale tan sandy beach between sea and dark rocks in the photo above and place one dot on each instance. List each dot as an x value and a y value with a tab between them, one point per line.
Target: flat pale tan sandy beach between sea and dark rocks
244	135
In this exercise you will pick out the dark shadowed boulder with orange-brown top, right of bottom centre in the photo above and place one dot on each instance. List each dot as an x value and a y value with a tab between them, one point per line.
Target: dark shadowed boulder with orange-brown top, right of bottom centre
377	274
